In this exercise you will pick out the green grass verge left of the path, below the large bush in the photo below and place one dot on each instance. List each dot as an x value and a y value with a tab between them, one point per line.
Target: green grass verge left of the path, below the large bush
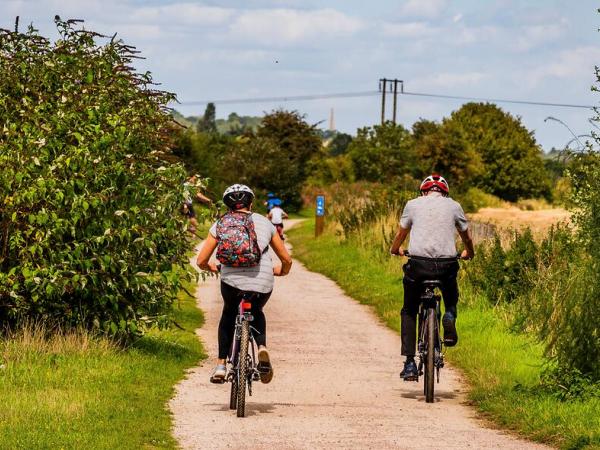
75	391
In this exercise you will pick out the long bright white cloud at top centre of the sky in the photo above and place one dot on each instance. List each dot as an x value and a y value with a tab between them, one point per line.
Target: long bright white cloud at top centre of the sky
286	26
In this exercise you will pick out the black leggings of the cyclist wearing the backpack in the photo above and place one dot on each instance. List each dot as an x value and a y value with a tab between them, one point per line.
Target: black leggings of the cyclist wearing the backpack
231	301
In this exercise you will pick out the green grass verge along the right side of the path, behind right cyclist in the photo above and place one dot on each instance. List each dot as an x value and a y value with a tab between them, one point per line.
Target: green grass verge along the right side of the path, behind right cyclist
502	367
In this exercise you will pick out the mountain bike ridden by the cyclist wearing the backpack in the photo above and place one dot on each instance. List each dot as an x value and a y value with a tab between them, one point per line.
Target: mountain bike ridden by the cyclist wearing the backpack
242	360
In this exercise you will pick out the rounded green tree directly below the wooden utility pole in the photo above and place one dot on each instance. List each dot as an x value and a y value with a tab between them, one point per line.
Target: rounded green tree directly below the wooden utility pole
383	153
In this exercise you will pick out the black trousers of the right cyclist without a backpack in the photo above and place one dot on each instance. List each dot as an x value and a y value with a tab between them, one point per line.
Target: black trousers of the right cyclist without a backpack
416	271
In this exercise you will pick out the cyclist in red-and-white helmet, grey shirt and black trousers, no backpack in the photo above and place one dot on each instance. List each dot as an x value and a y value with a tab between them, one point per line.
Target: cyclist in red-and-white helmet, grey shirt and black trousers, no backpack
432	221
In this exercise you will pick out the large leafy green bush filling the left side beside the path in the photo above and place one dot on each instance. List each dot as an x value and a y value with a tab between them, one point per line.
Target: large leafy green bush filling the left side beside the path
89	233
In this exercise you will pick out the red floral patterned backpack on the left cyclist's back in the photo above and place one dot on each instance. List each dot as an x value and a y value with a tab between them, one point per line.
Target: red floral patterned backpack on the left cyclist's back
238	244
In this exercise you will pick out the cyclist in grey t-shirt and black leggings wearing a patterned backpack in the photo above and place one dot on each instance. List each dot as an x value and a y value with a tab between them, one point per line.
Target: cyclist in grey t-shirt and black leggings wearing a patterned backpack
242	240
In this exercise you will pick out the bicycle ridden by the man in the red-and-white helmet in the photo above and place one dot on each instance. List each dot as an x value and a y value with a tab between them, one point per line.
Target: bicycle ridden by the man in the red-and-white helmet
430	344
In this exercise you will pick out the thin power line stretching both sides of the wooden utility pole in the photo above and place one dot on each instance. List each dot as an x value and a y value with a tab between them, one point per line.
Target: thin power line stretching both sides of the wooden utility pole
293	98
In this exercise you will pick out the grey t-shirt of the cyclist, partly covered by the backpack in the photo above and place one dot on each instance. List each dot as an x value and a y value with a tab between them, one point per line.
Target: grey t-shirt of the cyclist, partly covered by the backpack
258	278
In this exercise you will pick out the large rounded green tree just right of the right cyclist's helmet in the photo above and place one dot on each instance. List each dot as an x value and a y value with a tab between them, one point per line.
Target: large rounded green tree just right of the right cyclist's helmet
513	167
